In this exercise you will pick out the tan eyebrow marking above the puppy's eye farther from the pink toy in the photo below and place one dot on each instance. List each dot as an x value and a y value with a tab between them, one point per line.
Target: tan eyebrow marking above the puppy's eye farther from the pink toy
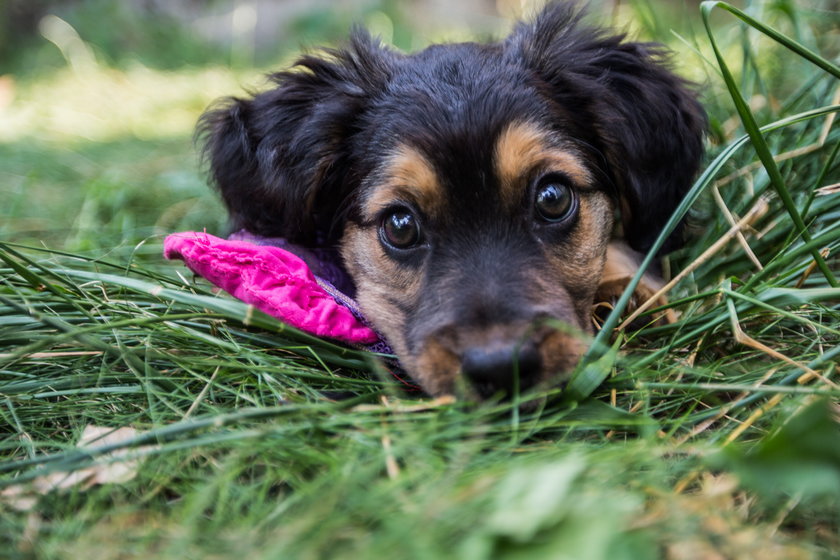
523	147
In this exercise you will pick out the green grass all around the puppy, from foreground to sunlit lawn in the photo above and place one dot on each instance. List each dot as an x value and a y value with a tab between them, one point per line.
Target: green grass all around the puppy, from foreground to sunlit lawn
713	435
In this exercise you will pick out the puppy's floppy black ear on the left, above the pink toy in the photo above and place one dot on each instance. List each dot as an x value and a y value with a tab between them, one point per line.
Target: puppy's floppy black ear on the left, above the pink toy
281	159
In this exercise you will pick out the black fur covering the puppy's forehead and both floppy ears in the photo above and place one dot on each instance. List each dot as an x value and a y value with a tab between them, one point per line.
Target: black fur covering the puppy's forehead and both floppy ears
288	161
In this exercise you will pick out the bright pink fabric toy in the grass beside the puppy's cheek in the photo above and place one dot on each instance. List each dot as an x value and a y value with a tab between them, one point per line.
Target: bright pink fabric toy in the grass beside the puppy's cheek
274	281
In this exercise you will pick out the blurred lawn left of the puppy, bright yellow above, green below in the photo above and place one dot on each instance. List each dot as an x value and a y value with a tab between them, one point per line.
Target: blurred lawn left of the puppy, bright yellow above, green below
98	157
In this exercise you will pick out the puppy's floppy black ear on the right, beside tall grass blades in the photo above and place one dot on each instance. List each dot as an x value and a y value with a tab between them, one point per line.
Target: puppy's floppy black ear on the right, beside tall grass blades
644	120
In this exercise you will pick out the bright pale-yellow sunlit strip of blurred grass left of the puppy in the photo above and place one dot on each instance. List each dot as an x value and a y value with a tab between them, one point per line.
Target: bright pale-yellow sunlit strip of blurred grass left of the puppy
100	104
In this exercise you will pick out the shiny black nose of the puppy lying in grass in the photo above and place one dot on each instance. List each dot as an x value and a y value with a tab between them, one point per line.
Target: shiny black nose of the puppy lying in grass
491	370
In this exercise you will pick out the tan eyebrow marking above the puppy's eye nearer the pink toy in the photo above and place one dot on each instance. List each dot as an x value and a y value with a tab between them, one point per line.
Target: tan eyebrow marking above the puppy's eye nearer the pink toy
406	174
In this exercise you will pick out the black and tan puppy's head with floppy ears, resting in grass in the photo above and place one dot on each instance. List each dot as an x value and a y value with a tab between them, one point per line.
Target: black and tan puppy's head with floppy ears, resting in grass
472	189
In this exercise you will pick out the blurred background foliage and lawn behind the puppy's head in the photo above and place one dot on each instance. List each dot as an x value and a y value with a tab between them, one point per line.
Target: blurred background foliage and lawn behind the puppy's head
99	98
